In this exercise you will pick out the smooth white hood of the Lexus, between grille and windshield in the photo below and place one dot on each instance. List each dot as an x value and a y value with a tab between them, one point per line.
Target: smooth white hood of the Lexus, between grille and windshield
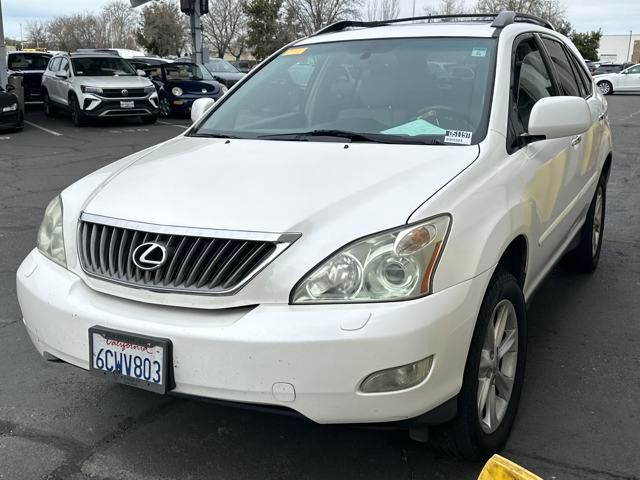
278	186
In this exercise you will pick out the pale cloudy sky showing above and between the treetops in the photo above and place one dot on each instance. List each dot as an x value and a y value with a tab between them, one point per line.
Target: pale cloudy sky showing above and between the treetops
612	16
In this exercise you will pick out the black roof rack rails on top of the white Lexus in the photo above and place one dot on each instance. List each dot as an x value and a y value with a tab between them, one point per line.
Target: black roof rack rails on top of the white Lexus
500	20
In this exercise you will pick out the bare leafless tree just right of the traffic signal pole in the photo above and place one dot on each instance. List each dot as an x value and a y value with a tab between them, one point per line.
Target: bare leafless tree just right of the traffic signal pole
224	24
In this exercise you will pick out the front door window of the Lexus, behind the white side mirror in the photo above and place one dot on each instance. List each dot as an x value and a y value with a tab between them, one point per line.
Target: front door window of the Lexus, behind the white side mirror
531	82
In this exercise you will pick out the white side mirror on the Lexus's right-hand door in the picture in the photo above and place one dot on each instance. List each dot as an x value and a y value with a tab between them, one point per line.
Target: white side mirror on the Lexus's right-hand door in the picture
558	117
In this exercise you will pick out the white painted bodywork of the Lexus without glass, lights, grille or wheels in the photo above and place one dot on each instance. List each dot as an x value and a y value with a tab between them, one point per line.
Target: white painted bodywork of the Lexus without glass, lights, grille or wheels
332	195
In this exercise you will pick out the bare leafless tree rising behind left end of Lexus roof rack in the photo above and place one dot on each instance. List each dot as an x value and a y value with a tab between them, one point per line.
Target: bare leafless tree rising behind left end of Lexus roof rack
311	15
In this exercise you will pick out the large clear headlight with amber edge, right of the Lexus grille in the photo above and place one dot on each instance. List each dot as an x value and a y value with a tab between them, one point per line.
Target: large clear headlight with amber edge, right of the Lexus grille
394	265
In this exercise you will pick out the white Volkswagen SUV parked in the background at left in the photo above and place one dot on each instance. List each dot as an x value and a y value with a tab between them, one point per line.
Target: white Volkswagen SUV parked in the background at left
97	85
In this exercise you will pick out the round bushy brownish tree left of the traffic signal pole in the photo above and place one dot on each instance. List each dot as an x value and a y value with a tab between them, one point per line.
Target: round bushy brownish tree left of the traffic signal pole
163	28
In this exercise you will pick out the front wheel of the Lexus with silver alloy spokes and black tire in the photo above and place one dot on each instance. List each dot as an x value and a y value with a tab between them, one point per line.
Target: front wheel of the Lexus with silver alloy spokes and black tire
468	436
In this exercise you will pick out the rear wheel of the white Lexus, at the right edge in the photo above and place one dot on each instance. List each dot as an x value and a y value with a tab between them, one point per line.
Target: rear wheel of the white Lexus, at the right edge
585	257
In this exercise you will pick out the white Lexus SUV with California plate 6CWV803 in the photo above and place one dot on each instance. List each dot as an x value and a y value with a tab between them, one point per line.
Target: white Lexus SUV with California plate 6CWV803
352	233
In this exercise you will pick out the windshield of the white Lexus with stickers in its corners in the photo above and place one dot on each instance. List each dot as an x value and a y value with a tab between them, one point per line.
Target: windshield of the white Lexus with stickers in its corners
410	90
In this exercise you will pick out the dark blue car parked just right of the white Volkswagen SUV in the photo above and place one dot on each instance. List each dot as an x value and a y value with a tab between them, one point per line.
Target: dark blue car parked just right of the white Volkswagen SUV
180	84
